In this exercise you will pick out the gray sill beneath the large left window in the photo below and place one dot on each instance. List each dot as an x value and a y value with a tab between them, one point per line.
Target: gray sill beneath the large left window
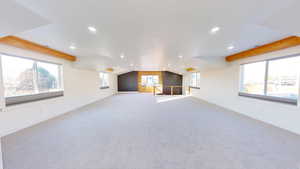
10	101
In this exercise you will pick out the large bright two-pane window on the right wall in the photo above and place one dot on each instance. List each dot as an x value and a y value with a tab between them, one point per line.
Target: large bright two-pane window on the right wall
276	79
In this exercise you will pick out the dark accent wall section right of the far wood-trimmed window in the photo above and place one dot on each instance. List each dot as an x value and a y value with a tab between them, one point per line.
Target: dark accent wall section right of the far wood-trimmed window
171	79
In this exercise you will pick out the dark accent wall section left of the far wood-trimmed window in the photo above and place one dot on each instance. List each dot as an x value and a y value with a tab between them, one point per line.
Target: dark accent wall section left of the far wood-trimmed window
128	81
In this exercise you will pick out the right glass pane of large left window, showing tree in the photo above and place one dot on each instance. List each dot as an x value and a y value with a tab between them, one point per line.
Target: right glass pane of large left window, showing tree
48	77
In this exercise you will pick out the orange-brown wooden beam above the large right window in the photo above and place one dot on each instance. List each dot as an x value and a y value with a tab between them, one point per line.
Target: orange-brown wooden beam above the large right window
271	47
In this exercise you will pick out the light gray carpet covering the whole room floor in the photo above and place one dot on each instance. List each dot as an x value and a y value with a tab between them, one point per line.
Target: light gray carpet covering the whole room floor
133	131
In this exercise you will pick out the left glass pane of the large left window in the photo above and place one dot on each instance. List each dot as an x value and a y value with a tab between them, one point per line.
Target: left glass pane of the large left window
18	76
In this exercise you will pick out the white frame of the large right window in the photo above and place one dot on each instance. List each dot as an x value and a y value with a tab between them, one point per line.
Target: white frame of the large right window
265	96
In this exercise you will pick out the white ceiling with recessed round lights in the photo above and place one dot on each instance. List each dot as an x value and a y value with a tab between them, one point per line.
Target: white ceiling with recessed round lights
152	34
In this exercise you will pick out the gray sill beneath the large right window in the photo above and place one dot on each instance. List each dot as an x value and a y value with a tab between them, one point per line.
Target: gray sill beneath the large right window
270	98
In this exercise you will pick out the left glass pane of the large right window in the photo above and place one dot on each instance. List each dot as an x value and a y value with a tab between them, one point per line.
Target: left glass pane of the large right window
253	78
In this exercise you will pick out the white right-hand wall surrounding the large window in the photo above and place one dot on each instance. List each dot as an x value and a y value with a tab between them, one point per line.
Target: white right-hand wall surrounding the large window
221	87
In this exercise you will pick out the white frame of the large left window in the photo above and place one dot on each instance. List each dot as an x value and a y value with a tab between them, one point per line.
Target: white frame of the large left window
13	100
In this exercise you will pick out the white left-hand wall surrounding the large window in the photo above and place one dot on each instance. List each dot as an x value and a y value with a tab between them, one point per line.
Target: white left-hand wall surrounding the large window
81	87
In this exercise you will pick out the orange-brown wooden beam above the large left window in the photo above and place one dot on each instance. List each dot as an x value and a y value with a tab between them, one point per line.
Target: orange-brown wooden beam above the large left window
28	45
